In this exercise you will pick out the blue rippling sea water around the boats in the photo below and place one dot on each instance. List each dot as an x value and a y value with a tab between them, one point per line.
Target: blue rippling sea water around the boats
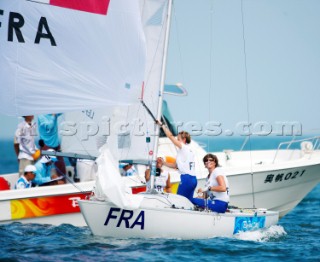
295	238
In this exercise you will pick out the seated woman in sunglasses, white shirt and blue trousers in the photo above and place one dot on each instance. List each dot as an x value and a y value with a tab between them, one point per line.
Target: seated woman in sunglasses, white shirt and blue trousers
216	187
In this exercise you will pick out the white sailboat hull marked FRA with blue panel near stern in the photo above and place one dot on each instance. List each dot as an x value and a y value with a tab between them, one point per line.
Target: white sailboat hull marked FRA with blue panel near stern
156	218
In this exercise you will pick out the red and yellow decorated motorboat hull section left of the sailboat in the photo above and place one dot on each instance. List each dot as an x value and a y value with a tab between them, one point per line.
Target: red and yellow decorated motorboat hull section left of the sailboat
54	205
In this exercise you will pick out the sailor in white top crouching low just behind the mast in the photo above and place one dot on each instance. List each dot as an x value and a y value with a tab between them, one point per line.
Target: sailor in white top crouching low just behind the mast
161	180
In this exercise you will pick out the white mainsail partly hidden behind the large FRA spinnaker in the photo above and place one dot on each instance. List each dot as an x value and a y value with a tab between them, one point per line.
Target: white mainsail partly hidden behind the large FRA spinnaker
126	127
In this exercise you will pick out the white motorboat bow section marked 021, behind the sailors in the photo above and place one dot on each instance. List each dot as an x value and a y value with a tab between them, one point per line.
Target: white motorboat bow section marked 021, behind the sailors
273	179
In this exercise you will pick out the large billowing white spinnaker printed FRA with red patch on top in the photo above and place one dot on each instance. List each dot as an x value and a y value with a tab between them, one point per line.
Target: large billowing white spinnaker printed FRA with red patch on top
59	56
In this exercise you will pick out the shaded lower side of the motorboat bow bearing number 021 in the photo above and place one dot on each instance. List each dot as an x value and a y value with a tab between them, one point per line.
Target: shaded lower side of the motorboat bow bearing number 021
261	189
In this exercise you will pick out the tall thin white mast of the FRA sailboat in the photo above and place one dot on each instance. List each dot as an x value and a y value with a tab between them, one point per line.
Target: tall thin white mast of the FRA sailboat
159	111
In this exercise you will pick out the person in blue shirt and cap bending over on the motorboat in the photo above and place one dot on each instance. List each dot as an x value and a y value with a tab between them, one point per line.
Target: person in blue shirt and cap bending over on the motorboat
44	167
